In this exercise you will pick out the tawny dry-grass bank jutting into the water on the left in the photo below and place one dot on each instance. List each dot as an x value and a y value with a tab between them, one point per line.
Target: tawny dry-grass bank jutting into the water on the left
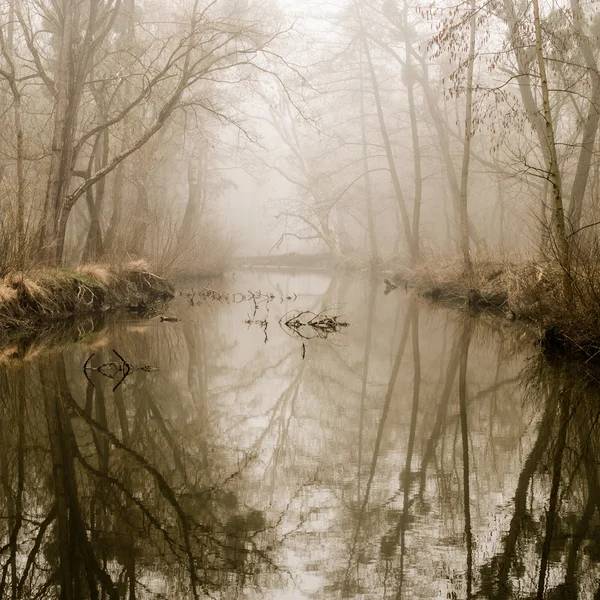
28	300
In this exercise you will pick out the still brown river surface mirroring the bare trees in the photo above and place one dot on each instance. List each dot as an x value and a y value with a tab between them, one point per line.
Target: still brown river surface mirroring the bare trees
415	453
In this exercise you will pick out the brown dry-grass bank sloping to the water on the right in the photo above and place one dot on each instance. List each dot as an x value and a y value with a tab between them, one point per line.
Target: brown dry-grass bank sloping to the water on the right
531	292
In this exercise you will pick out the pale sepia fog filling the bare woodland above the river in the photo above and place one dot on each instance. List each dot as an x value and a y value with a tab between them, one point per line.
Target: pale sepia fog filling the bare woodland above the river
188	132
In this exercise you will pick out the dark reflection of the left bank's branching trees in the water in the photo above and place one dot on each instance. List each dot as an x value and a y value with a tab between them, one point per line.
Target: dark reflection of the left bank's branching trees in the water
102	499
